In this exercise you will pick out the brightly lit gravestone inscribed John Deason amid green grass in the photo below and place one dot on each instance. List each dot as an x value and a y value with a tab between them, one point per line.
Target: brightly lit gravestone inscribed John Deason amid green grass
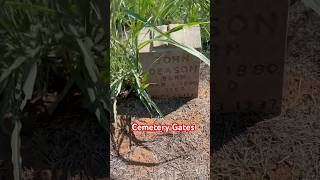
171	71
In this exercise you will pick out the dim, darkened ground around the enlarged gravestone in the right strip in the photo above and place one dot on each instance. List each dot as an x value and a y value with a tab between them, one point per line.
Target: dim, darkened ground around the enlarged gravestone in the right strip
288	146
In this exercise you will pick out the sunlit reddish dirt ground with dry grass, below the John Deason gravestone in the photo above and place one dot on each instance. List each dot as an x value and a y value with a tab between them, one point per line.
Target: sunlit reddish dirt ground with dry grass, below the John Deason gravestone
172	155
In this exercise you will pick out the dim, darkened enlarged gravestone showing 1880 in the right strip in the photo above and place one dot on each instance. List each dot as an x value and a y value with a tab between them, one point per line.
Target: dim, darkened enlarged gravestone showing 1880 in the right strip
249	45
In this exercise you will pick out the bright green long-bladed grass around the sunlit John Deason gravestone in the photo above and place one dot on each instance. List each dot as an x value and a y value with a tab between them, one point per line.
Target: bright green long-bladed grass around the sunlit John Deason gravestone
128	18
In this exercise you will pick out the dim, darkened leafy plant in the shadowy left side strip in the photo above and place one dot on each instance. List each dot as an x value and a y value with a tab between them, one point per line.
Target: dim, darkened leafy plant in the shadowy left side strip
40	38
